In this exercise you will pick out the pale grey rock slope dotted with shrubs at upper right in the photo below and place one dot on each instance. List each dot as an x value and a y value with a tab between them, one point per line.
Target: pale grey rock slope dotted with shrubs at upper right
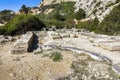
96	8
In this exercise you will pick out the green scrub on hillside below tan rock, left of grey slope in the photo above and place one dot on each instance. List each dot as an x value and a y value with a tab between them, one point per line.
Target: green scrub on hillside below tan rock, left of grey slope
64	10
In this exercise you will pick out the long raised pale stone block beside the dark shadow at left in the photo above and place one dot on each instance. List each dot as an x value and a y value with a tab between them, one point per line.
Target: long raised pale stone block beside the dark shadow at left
24	44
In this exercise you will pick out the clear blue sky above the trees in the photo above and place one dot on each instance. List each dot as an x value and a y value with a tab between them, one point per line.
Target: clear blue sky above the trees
15	5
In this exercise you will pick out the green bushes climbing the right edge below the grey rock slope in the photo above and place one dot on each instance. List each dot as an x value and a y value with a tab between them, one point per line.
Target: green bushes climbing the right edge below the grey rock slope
110	25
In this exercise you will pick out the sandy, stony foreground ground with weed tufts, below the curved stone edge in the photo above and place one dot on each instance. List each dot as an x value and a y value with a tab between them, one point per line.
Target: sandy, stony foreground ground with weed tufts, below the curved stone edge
45	66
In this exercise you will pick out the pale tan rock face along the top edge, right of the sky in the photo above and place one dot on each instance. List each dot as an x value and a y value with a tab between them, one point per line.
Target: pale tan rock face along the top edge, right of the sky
49	2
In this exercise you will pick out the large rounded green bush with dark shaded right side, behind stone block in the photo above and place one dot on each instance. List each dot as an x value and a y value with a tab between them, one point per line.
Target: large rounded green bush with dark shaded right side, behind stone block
22	23
